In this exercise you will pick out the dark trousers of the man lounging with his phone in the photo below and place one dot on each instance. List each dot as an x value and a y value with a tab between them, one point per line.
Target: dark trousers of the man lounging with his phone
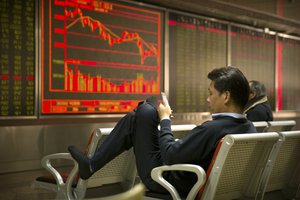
137	129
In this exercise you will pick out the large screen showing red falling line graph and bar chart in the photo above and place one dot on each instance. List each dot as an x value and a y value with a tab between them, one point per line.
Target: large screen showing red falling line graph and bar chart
99	56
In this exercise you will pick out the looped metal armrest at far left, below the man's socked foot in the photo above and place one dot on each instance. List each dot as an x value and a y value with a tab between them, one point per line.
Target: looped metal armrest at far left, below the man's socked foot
46	163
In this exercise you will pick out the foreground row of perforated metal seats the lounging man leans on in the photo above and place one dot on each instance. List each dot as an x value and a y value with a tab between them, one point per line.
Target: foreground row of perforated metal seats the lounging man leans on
246	166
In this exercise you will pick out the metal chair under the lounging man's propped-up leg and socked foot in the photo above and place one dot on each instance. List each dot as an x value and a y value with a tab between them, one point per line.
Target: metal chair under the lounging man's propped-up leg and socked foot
70	186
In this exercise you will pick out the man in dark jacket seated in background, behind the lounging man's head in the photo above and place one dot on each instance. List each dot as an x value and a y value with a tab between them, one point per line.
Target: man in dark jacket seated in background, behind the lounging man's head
258	107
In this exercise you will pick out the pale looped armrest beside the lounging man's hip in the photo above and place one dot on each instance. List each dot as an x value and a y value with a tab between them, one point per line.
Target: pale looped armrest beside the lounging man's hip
156	175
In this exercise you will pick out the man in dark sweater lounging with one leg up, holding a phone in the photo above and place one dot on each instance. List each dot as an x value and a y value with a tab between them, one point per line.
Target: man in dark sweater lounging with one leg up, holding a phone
228	94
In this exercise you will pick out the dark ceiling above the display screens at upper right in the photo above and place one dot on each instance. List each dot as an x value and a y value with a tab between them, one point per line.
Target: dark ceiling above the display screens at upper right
231	11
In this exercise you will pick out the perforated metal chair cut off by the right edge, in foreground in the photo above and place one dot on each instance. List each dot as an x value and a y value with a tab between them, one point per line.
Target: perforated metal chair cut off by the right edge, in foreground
284	172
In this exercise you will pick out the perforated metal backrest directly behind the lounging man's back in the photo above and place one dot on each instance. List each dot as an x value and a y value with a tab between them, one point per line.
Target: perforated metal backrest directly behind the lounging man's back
238	164
